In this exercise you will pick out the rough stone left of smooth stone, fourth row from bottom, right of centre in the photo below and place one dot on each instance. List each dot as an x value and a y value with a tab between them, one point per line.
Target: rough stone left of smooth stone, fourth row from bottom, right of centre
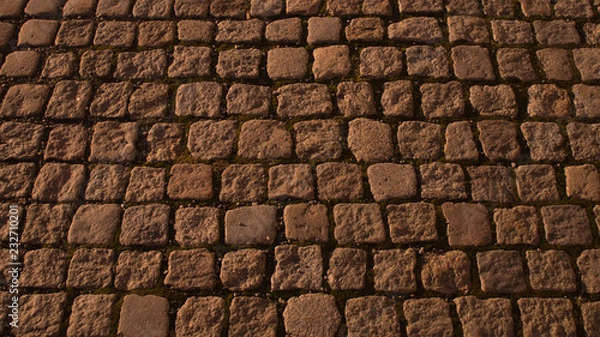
342	181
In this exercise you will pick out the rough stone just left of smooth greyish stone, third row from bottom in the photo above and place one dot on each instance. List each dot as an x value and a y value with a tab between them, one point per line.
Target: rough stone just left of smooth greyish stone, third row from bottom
195	226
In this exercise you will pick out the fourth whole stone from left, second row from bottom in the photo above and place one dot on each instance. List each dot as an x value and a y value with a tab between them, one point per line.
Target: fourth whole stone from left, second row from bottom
192	269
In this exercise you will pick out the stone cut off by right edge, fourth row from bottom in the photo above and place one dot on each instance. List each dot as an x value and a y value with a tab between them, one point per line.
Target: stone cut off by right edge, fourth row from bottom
583	182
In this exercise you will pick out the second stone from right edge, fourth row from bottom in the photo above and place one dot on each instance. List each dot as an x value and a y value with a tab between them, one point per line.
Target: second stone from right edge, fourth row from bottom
536	183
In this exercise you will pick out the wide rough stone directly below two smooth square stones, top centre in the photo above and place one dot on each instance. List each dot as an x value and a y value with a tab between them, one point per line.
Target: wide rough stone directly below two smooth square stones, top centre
303	100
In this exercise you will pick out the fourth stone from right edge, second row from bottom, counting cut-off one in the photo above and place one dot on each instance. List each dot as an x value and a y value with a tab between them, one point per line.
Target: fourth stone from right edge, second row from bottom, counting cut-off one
447	273
